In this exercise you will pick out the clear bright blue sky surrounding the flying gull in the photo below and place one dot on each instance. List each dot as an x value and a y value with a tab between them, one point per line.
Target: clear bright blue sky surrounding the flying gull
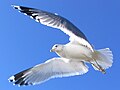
25	43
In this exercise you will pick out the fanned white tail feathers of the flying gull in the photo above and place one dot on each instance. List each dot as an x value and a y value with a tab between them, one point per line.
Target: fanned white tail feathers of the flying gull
103	57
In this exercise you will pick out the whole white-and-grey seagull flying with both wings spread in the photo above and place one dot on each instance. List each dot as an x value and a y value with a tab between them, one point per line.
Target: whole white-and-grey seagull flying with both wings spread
73	56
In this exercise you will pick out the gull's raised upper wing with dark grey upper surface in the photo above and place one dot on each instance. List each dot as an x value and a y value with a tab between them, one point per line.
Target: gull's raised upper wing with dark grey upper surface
56	21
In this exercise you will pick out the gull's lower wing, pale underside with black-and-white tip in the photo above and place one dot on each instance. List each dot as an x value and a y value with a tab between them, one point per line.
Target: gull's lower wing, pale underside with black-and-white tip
55	67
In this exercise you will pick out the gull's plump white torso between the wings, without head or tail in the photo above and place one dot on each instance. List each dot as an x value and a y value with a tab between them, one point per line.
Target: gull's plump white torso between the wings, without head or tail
76	51
